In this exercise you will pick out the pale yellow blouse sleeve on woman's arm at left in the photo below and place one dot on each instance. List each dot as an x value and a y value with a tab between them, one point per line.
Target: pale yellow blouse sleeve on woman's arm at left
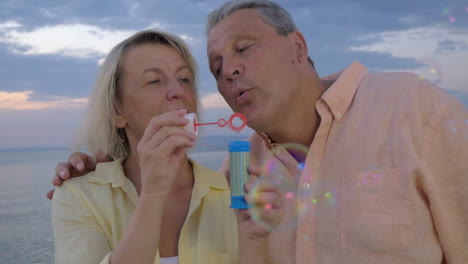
77	236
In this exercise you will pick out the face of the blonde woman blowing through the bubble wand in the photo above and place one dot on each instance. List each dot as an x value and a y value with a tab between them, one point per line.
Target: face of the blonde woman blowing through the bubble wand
154	80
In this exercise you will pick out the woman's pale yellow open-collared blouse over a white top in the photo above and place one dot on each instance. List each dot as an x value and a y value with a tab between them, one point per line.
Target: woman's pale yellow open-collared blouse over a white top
90	214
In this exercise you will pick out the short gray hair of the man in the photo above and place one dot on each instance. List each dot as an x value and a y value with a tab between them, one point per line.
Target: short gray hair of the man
271	13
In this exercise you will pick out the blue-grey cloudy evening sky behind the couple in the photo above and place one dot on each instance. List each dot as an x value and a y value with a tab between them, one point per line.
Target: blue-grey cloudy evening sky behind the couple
50	51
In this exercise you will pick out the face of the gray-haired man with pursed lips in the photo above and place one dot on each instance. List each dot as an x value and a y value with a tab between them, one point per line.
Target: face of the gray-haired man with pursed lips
255	68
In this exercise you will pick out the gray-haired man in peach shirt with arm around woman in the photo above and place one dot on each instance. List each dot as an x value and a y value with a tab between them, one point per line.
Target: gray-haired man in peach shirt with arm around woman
392	149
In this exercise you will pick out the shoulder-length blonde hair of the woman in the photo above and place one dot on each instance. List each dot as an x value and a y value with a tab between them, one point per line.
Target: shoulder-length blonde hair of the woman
98	131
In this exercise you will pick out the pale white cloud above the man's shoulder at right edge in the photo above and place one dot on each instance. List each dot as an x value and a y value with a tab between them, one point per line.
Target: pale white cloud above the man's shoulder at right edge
442	52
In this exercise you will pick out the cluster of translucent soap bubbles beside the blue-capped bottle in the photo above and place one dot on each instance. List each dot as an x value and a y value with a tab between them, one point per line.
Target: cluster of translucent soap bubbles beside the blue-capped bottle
298	195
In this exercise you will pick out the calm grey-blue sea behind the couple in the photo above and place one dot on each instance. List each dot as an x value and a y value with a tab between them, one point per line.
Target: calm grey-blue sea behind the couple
25	212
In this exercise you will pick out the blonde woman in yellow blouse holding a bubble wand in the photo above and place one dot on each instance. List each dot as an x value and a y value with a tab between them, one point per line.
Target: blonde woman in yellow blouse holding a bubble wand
151	204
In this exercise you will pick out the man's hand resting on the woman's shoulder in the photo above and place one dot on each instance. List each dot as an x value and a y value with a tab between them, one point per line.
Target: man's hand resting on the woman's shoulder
78	164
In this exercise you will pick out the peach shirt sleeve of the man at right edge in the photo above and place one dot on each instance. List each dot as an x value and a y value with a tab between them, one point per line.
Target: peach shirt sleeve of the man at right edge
446	163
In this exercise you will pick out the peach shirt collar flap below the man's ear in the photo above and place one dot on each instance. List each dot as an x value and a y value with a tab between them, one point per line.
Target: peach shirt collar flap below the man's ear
345	83
